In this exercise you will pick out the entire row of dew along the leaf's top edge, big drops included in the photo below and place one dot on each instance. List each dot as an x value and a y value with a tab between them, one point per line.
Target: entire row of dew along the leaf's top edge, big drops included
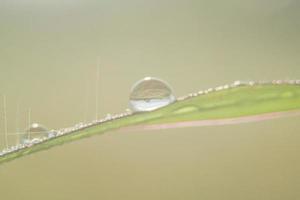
146	95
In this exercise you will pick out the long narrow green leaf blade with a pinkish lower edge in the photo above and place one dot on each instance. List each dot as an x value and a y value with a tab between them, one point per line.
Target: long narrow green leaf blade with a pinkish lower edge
232	105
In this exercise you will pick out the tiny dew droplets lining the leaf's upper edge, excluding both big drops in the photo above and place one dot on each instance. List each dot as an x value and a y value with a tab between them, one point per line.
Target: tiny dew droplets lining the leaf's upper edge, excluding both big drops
109	117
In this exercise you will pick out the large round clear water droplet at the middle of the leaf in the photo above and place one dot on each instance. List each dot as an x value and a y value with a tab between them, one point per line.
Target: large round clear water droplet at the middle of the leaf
149	94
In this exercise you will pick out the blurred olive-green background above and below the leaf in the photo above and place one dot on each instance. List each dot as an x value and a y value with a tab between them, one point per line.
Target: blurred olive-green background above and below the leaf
48	59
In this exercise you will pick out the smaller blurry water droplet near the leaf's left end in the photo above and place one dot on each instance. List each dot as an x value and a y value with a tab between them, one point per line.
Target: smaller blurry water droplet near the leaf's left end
34	131
